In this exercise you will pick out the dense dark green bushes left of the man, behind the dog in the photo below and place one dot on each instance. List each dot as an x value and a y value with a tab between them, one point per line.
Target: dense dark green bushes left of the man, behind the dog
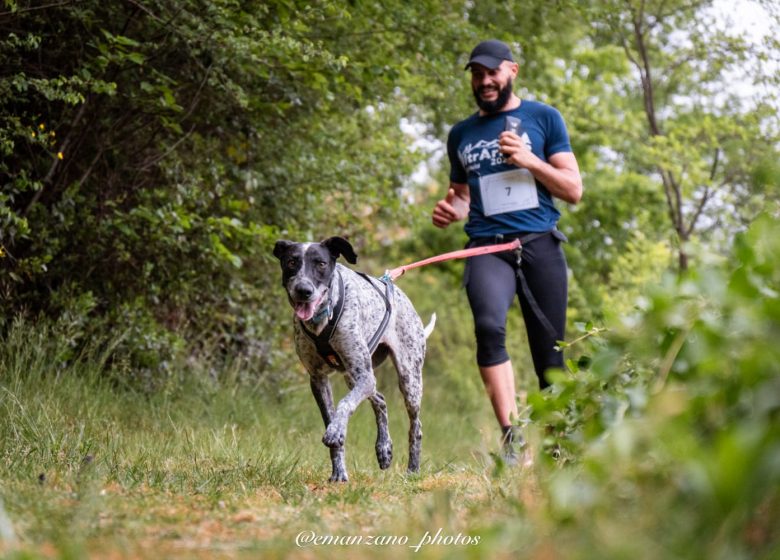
159	150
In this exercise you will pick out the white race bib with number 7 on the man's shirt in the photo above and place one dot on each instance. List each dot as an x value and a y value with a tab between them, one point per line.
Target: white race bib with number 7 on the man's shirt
508	191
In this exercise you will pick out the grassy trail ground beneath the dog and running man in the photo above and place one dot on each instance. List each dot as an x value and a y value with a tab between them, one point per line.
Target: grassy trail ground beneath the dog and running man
208	469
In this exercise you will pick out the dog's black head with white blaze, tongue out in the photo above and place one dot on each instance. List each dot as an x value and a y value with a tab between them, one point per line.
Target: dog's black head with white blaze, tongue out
307	269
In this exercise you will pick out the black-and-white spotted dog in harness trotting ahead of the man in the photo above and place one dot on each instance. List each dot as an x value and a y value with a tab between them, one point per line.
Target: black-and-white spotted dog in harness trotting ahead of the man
347	321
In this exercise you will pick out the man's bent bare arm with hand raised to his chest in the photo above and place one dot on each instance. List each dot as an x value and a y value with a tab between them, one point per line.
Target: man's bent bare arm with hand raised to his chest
560	174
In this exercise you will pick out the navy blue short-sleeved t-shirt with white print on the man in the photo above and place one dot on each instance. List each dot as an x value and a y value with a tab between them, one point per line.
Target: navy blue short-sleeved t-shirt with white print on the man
472	146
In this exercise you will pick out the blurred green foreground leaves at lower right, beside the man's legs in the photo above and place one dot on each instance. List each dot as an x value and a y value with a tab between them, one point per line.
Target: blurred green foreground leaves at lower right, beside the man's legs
676	412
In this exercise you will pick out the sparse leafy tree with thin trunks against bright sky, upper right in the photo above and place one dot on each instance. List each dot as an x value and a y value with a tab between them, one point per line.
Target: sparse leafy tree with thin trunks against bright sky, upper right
689	114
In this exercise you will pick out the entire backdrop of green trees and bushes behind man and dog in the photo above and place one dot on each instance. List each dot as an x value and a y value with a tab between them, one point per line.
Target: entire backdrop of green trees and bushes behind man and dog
151	154
